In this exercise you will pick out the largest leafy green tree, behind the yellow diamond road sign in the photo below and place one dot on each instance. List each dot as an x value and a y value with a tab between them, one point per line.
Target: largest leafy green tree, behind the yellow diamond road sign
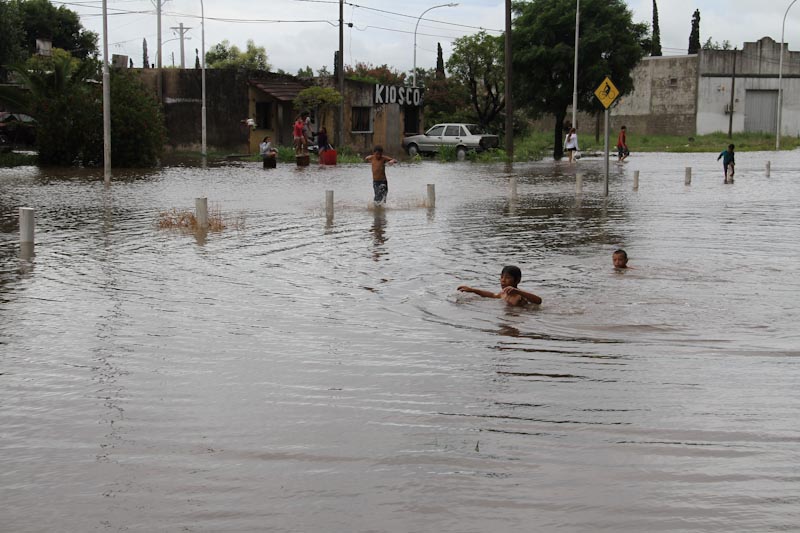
611	44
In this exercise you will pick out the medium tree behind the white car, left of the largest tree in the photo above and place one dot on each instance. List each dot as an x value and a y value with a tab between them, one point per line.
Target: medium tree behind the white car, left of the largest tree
477	63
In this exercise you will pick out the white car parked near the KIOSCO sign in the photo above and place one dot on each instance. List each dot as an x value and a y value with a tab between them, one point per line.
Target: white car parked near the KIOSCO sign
463	137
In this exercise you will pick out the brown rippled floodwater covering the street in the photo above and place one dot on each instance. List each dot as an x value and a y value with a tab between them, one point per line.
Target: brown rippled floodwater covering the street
297	374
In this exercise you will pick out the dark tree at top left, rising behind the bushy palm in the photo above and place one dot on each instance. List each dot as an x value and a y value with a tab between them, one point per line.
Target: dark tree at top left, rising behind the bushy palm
40	19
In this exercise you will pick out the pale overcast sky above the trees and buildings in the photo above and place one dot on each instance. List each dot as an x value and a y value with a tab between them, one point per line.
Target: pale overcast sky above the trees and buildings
299	33
